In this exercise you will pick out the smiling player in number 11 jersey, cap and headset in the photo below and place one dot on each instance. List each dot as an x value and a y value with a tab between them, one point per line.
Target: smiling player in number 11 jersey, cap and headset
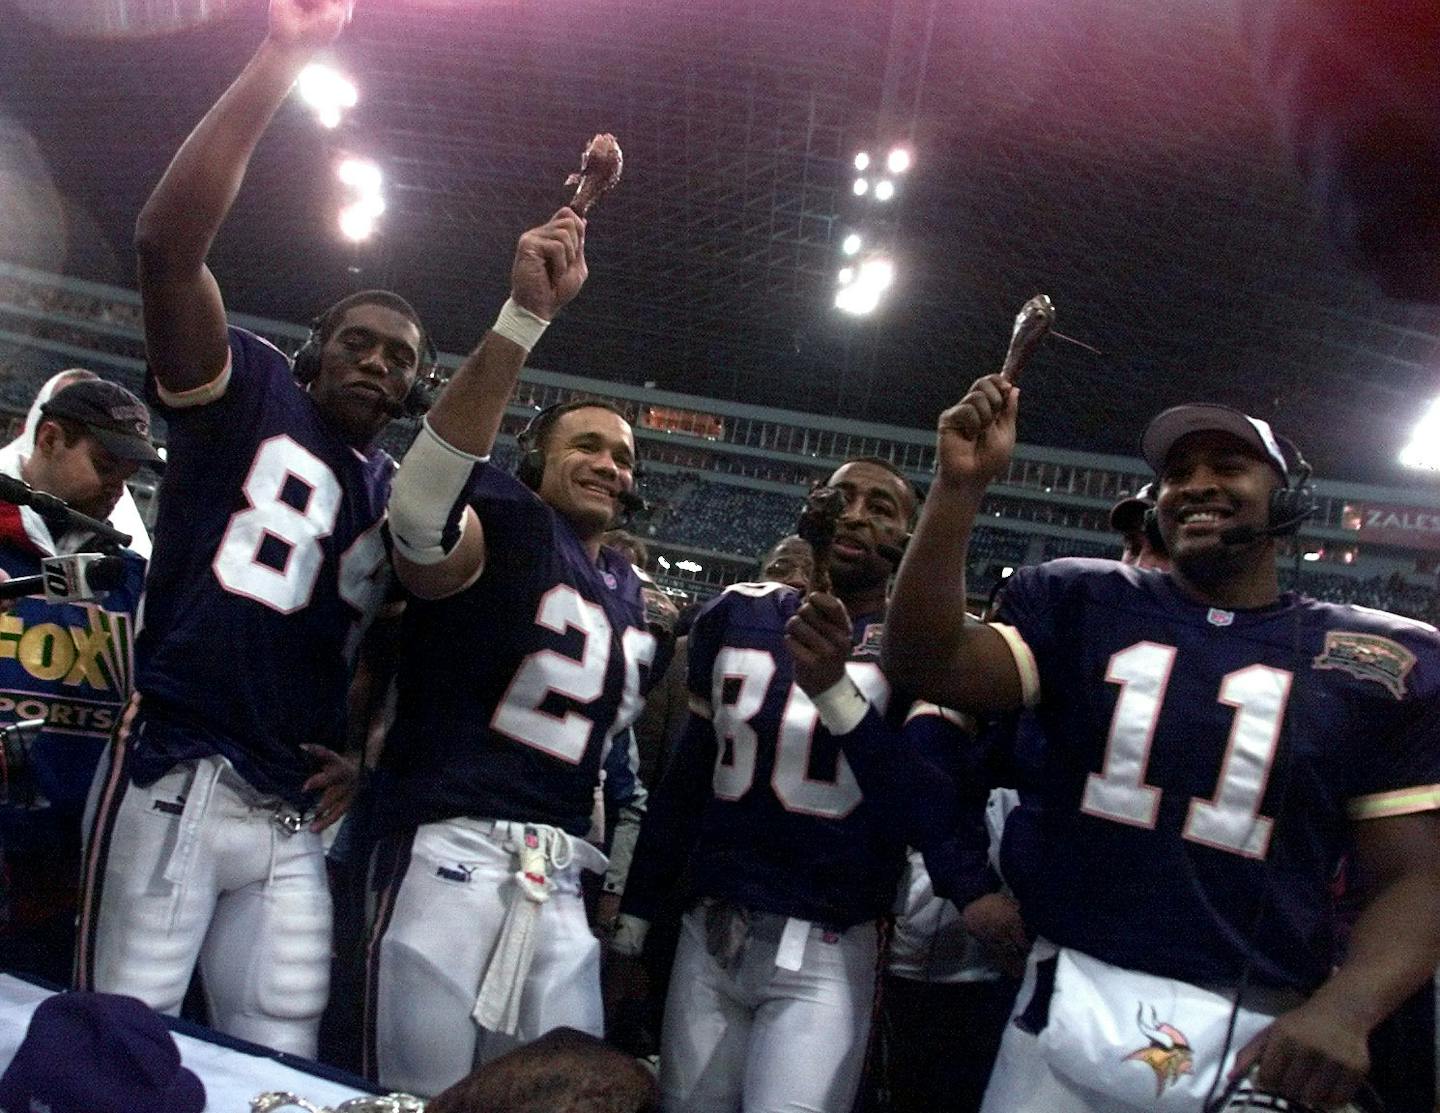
1213	749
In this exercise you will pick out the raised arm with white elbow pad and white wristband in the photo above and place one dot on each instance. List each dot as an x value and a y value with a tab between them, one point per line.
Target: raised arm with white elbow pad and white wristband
440	546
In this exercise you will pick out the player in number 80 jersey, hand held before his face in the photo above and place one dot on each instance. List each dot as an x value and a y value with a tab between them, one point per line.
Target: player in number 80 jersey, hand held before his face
794	857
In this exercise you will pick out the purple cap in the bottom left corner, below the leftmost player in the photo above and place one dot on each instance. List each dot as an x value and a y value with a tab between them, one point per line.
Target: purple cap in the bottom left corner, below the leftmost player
99	1053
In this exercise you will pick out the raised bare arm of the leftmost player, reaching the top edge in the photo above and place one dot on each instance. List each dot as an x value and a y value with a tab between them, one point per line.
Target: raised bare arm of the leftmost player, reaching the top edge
185	316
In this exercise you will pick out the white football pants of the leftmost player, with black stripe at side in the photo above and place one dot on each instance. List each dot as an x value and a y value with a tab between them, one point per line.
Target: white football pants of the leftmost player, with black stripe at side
197	868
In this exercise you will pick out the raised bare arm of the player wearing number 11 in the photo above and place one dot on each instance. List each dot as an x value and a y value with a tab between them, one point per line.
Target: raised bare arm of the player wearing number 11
932	650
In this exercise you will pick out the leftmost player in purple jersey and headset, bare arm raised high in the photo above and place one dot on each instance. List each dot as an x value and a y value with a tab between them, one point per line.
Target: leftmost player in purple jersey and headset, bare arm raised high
269	565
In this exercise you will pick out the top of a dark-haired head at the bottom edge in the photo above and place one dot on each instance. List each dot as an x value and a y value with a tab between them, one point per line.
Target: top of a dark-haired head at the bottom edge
562	1072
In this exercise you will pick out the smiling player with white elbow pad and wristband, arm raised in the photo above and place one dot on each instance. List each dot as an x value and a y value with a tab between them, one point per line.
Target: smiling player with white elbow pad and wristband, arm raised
528	654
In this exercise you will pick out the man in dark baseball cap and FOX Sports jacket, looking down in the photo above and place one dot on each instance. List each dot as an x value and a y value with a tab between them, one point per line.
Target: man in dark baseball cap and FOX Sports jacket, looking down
64	667
